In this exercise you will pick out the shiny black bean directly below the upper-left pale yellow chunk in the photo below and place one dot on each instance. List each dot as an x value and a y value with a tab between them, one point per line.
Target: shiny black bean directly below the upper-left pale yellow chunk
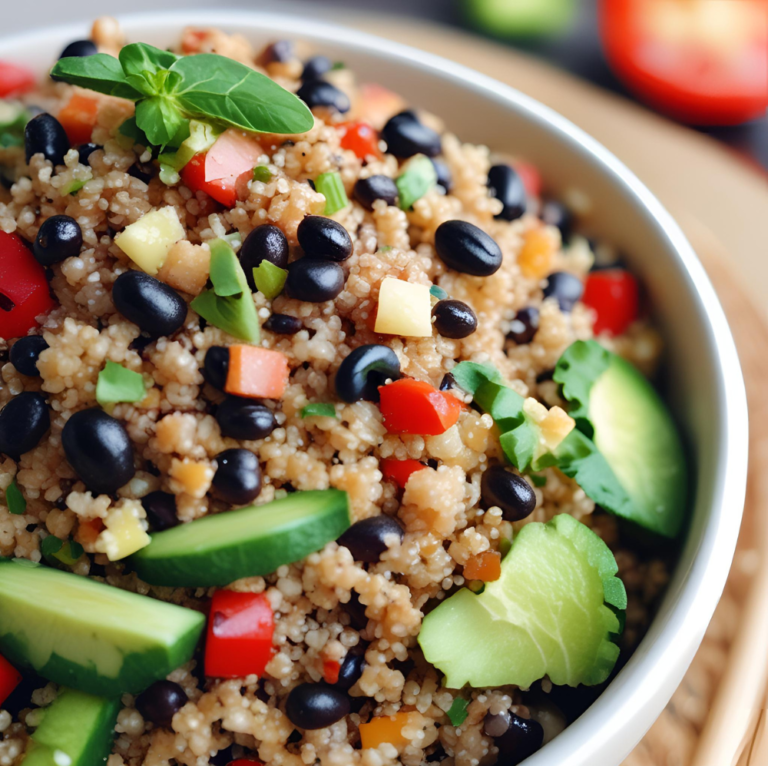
149	303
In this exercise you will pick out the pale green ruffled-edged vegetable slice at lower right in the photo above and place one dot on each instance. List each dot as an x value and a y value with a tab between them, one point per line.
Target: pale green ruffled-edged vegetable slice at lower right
553	612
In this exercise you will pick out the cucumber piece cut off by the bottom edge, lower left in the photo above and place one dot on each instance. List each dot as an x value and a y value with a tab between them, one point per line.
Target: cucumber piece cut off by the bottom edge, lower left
76	730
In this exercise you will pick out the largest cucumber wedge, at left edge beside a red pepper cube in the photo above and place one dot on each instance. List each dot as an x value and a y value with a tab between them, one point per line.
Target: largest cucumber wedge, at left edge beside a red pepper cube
88	635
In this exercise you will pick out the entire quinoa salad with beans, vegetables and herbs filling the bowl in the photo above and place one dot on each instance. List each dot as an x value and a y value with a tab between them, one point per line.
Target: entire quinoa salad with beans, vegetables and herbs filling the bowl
325	437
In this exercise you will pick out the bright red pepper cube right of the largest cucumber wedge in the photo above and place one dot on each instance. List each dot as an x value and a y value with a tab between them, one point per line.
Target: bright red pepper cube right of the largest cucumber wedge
239	639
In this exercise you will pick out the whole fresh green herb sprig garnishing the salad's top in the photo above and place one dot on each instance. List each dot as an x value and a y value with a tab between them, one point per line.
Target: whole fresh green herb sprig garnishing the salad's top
169	89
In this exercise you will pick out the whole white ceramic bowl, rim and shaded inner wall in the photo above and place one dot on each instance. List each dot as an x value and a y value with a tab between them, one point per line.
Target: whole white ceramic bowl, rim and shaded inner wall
705	383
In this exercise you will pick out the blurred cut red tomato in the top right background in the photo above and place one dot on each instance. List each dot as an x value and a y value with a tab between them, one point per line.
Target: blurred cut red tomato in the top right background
702	61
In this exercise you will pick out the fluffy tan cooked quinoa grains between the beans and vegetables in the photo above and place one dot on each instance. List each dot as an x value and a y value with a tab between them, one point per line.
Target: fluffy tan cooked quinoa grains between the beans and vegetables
327	607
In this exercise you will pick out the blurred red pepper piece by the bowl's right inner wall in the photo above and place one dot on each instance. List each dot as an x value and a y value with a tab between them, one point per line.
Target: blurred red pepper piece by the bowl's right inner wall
615	298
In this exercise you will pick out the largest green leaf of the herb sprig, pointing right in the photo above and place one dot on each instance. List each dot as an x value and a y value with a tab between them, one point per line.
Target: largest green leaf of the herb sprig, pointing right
226	90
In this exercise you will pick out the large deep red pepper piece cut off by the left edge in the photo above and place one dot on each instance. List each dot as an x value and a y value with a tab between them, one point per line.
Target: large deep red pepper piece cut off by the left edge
24	291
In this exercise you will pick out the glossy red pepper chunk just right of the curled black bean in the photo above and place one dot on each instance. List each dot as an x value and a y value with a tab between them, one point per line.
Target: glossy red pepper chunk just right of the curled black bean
414	407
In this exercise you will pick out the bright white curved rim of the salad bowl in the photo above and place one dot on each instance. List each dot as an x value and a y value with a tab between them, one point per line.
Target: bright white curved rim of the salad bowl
663	653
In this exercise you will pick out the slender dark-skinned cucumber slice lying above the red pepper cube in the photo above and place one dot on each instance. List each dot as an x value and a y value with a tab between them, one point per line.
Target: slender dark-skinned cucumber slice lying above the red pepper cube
219	549
